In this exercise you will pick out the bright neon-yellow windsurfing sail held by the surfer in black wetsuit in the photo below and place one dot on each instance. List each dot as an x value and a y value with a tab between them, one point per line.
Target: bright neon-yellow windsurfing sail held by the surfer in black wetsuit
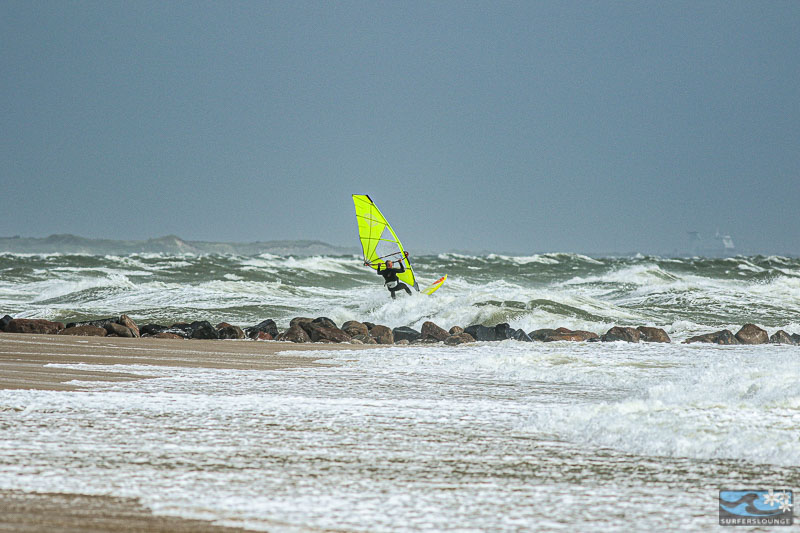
378	240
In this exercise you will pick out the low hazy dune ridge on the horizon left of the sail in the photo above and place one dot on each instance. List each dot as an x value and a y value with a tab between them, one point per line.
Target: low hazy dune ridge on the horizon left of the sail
170	244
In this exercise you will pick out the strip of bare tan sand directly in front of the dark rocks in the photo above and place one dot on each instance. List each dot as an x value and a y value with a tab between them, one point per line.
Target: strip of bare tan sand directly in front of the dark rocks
24	357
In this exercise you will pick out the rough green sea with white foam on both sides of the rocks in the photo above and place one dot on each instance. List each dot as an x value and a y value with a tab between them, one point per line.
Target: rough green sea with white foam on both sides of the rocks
493	436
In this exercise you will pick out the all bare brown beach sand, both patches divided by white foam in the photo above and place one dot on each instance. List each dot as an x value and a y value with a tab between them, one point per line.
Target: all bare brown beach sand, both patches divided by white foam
23	360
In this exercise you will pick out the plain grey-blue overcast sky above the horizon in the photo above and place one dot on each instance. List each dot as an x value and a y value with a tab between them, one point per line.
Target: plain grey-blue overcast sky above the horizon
530	126
